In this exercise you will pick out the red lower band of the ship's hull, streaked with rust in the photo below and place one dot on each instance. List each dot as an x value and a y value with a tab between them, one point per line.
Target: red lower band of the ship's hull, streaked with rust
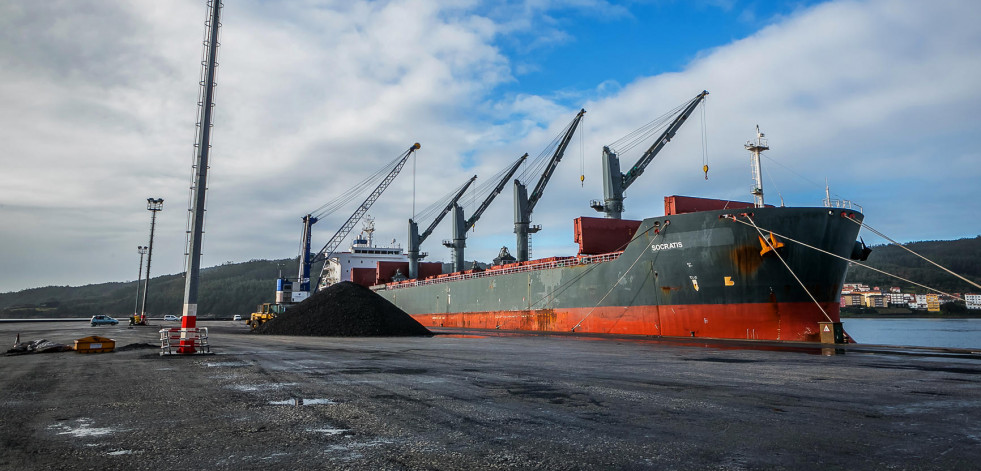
795	322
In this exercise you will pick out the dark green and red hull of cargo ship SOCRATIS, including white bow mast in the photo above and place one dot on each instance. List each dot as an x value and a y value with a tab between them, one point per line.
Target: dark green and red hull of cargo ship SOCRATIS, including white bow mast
706	269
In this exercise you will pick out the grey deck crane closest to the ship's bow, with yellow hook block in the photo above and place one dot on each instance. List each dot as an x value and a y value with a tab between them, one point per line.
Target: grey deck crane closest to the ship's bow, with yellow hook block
615	183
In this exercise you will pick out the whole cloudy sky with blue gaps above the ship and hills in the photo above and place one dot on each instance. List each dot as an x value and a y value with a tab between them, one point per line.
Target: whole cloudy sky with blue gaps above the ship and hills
98	105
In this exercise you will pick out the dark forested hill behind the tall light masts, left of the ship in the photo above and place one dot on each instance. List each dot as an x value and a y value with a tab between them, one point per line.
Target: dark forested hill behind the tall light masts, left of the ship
225	290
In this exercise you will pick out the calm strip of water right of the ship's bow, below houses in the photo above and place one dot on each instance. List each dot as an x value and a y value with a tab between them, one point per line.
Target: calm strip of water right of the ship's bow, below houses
956	333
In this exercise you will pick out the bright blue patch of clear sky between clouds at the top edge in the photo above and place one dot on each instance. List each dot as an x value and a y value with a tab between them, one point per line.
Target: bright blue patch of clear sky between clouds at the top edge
629	41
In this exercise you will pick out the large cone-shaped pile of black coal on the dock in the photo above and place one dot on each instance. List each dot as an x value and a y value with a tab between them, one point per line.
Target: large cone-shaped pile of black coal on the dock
344	309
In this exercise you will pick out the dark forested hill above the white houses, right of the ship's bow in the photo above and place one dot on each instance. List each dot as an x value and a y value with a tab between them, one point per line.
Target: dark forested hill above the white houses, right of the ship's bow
962	256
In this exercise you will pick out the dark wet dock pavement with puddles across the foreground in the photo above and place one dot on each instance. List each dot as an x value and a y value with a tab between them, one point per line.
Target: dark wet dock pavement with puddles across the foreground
482	401
